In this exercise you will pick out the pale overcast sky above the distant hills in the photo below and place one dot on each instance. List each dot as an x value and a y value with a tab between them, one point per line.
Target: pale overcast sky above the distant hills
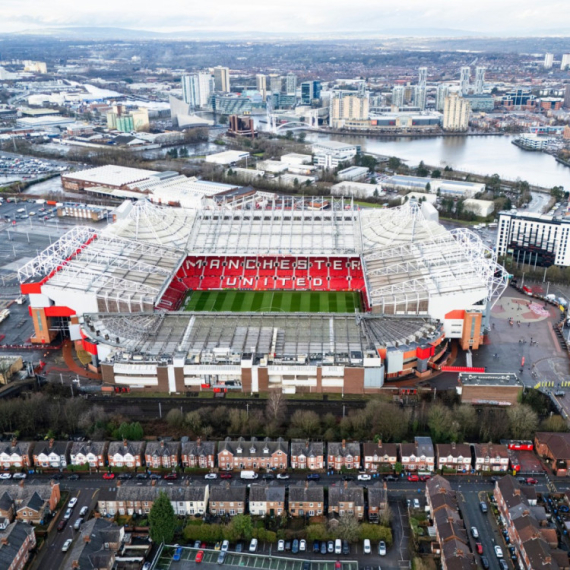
496	16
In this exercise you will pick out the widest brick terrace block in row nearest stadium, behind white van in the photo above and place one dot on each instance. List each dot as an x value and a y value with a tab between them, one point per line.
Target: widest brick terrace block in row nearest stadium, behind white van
253	454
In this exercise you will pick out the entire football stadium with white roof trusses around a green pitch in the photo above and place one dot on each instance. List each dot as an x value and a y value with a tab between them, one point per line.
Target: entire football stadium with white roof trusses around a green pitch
252	275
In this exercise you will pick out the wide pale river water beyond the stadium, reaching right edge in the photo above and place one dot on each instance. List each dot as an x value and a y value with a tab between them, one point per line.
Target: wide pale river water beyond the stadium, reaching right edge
480	155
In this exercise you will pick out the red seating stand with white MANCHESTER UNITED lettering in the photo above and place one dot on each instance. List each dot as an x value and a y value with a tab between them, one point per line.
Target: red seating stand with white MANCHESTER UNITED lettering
203	273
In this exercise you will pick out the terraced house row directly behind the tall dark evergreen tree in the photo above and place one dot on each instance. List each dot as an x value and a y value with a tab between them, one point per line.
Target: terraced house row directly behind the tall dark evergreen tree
129	498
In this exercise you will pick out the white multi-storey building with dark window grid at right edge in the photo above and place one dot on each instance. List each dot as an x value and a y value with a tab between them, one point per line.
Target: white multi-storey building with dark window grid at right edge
534	239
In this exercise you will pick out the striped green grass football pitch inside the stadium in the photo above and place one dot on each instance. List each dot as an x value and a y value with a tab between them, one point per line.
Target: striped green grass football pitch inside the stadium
273	301
